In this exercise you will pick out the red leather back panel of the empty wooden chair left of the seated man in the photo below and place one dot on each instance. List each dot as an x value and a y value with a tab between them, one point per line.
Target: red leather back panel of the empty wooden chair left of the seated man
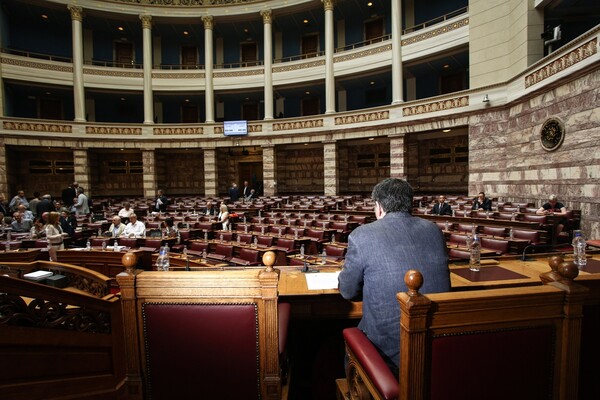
201	351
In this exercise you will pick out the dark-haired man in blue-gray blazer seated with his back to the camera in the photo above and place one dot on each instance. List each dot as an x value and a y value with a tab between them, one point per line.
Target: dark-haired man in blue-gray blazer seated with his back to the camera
380	253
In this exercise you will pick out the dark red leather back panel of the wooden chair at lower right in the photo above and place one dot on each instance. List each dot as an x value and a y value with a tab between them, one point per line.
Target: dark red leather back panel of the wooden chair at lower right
495	365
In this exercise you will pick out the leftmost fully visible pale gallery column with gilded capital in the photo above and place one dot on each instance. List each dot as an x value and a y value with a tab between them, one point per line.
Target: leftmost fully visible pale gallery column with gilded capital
77	41
